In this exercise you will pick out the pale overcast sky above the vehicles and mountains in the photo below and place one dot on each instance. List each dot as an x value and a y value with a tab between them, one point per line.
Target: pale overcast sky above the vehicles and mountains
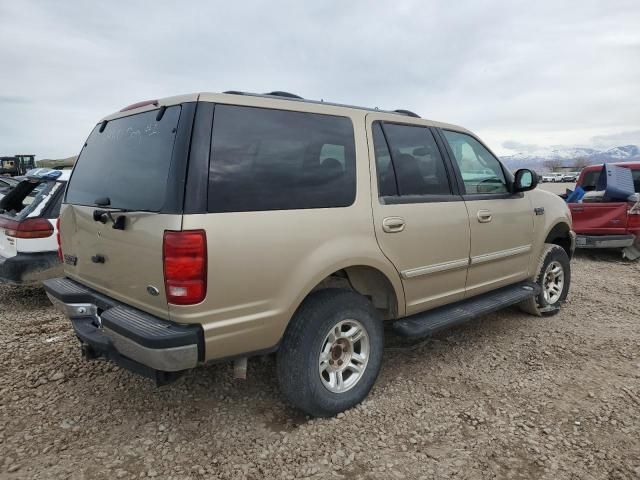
520	74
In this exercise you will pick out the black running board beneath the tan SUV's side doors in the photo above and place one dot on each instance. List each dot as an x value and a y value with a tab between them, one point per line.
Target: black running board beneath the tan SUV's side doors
427	323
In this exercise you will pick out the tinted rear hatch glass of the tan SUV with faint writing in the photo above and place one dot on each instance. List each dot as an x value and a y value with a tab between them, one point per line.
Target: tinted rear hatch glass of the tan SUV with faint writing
127	164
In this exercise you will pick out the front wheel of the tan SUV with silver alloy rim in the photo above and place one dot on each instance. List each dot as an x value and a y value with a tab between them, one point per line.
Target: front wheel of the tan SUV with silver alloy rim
554	278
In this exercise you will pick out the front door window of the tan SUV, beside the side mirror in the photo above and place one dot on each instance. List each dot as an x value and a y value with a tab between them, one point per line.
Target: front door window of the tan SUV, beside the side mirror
481	171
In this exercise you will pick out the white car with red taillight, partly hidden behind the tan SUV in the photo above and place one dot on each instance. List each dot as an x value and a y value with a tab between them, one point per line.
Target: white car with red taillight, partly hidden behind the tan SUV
28	230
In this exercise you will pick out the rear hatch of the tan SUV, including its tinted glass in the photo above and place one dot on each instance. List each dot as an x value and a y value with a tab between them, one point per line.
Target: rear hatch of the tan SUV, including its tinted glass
126	189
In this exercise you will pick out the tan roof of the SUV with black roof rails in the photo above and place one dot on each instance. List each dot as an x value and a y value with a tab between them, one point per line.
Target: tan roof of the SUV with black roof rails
273	100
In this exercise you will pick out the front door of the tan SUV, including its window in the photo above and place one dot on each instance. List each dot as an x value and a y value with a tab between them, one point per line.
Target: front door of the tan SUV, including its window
501	223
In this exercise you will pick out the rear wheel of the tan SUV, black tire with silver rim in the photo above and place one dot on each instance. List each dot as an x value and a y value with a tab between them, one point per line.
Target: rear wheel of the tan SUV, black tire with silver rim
331	352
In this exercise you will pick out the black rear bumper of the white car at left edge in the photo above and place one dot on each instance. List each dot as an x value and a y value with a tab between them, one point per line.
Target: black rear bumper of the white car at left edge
29	268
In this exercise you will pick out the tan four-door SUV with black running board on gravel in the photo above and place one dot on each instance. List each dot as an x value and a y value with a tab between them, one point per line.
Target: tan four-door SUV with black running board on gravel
208	227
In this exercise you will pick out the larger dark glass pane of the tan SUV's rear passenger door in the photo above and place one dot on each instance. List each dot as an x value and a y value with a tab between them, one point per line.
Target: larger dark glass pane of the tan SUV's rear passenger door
417	162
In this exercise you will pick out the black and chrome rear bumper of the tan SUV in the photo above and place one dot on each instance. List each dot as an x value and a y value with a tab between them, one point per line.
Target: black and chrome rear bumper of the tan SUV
133	339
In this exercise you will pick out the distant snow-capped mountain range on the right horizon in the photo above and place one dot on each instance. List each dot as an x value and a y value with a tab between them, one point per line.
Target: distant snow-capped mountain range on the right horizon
570	156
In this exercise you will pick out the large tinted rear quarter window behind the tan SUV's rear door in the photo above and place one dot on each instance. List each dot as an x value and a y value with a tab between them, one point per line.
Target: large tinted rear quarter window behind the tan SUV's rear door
263	159
